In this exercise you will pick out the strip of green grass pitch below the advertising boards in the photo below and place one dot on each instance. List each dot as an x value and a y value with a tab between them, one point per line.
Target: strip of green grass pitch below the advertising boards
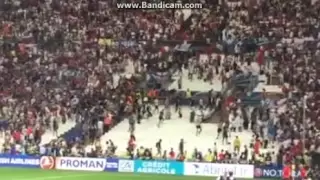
38	174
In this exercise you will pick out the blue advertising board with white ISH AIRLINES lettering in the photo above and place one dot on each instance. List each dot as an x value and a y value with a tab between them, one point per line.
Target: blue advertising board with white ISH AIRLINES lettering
19	161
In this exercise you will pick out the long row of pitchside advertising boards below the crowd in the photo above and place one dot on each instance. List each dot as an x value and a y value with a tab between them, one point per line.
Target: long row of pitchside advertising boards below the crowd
139	166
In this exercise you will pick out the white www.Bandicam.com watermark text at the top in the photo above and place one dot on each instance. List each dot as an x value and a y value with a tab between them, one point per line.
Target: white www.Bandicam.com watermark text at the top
160	5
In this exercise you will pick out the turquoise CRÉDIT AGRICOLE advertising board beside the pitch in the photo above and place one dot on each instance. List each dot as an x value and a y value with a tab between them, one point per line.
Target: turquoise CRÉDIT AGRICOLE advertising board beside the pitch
159	167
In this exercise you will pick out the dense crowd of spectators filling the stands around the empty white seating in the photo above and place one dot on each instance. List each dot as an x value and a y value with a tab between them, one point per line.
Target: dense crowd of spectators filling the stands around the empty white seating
66	60
